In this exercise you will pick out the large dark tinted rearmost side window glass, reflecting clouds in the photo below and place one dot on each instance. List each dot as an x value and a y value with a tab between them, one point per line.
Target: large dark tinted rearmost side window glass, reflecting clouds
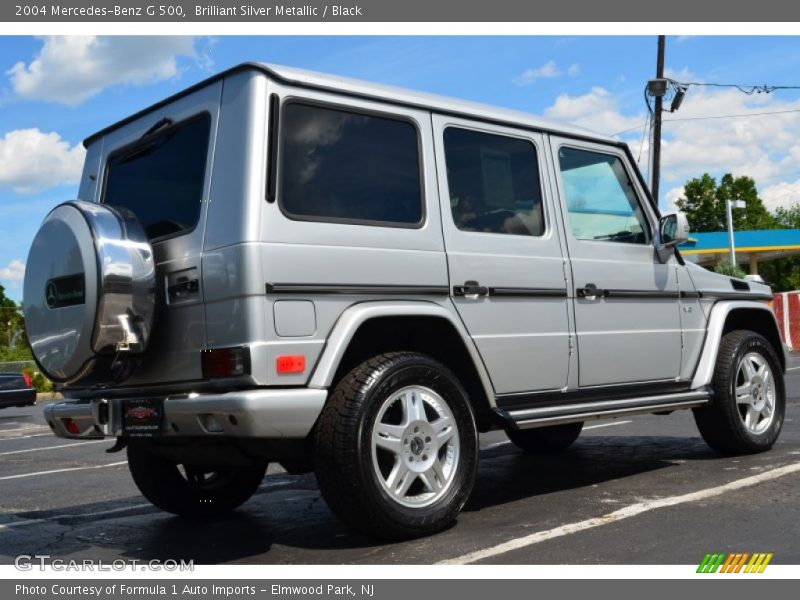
349	167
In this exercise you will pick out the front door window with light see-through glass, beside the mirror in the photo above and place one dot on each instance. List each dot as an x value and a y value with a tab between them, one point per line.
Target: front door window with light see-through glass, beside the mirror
600	197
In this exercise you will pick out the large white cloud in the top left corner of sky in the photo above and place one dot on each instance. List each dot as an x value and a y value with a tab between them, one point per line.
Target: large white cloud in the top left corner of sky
71	69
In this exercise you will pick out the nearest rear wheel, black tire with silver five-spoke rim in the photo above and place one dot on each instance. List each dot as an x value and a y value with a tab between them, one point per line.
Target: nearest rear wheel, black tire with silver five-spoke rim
397	447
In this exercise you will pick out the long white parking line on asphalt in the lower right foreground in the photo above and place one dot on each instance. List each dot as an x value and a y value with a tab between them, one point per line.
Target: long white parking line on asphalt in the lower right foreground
623	513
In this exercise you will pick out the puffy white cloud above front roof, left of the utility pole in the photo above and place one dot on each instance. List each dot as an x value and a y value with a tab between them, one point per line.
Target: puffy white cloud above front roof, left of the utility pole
596	110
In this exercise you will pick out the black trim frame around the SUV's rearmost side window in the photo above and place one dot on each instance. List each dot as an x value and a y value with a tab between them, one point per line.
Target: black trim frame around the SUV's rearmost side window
275	163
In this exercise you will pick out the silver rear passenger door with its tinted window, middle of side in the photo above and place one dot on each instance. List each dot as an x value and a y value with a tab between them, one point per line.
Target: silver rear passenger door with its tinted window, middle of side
504	256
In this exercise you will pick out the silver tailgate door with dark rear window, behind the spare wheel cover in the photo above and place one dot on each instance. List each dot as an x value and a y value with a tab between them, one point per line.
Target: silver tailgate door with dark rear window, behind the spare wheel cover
159	166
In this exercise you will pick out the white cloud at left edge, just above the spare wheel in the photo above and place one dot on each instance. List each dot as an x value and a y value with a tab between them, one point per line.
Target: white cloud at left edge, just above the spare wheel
32	161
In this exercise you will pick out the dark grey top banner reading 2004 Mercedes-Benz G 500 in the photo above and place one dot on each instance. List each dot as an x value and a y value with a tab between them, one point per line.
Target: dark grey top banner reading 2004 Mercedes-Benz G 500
354	11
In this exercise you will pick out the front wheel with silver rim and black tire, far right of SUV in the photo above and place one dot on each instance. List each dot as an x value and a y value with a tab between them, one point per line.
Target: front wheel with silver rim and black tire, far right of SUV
747	411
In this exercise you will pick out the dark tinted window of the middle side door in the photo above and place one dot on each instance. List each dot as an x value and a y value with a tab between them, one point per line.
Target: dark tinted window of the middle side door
493	182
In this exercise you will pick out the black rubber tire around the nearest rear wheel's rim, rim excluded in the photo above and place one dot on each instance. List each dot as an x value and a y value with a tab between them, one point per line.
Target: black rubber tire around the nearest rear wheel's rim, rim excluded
344	453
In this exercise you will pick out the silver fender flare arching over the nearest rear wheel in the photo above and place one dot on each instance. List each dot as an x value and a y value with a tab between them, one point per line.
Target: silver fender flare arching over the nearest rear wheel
352	318
